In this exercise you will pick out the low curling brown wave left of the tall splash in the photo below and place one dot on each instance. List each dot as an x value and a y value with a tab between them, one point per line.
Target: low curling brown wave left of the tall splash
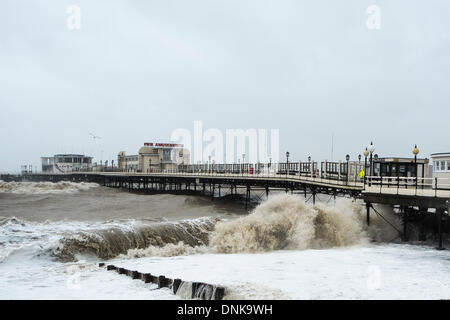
175	237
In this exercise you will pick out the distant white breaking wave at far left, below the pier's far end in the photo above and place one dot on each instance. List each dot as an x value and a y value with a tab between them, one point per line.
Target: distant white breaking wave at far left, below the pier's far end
44	187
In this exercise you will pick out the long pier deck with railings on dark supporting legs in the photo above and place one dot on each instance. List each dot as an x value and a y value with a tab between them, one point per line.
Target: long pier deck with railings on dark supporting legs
417	199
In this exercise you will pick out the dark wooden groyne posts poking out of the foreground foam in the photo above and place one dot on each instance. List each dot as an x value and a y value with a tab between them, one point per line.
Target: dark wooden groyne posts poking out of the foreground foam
191	290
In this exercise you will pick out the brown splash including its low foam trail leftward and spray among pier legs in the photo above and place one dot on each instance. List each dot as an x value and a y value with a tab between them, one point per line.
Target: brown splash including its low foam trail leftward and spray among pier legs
287	222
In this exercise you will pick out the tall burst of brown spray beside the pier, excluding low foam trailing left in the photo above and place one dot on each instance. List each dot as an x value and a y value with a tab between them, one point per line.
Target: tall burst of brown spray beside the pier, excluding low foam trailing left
286	222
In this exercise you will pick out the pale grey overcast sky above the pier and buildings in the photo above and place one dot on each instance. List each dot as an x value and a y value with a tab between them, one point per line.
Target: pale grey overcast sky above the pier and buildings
138	69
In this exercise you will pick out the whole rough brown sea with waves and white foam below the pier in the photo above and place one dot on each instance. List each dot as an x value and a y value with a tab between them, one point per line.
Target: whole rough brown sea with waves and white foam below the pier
53	235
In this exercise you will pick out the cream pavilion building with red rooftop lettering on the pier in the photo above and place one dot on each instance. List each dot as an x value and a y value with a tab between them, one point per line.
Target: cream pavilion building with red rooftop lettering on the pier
154	157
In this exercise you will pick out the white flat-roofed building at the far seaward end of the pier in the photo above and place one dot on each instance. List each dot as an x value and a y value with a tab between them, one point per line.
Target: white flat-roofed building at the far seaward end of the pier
63	163
